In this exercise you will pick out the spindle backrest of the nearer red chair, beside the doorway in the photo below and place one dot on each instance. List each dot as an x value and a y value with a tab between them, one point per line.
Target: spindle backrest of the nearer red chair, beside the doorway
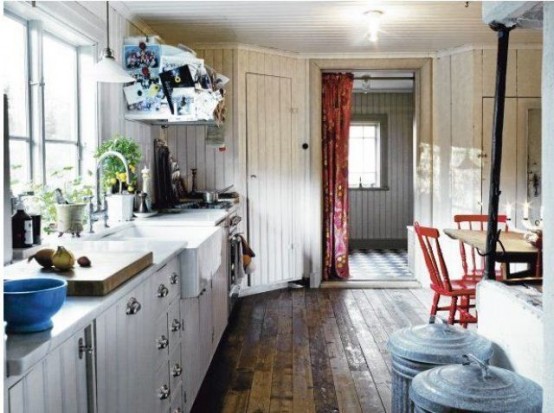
429	242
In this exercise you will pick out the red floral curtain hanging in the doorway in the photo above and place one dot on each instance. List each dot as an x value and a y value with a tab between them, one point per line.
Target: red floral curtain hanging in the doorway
336	105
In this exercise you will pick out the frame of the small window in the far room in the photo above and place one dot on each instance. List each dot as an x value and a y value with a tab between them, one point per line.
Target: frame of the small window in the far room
382	121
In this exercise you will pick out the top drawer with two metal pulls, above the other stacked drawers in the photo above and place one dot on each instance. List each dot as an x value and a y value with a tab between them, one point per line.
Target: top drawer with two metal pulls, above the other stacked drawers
164	287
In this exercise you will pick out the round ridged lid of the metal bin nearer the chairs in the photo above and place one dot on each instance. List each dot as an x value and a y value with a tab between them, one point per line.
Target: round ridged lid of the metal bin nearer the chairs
438	344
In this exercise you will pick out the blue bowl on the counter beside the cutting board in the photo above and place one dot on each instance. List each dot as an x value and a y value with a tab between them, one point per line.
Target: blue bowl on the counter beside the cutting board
30	303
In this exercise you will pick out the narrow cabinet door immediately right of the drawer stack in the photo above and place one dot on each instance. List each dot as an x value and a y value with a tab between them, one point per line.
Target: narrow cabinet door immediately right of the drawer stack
192	378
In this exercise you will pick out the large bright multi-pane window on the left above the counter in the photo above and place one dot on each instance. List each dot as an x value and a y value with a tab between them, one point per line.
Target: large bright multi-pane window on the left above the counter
51	122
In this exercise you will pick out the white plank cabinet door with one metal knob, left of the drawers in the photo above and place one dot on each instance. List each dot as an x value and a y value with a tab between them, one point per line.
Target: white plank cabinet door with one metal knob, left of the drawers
124	363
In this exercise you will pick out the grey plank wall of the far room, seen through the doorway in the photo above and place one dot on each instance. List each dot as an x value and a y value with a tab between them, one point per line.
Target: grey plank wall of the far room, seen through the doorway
379	218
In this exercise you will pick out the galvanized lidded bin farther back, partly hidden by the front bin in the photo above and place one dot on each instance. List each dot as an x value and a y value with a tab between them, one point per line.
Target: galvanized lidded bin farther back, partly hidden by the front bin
420	348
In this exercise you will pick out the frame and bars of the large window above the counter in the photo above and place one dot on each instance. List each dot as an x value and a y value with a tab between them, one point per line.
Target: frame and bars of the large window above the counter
35	99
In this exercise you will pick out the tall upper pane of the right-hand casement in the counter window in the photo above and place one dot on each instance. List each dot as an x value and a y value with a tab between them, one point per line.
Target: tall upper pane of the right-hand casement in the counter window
60	90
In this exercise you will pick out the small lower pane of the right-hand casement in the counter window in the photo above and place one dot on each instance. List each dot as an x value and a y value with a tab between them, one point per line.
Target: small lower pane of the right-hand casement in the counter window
61	163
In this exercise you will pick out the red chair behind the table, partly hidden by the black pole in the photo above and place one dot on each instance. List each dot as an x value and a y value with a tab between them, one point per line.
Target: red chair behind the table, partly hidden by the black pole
474	271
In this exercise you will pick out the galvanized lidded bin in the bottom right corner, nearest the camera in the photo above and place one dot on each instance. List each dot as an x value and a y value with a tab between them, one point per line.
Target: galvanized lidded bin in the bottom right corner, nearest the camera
474	387
